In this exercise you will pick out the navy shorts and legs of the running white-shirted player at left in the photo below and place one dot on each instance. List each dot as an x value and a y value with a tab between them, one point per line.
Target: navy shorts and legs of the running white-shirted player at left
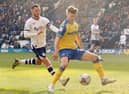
41	58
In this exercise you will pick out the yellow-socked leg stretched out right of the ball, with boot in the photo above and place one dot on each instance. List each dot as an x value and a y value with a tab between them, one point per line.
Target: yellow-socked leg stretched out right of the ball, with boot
98	66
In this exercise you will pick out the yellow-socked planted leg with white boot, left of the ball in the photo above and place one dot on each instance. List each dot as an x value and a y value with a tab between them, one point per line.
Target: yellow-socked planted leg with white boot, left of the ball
58	73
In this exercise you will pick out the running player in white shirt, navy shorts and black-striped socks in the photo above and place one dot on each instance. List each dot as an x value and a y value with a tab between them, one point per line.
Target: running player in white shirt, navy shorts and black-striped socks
35	29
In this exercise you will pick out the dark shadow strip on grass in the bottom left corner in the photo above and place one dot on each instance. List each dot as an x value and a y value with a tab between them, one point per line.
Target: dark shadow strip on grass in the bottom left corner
13	91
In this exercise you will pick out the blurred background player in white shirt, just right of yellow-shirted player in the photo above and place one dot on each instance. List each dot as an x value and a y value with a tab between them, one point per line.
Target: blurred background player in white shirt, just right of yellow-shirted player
95	36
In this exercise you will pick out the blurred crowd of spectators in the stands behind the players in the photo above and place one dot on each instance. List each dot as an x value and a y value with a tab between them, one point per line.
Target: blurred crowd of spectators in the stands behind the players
113	19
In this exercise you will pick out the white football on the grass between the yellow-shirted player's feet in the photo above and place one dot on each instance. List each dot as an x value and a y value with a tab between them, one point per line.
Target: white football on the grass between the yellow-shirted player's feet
85	79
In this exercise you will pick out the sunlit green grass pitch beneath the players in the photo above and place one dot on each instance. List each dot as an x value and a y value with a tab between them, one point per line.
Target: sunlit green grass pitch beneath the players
30	79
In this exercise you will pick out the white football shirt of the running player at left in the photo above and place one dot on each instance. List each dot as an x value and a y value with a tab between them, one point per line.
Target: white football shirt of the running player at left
32	26
